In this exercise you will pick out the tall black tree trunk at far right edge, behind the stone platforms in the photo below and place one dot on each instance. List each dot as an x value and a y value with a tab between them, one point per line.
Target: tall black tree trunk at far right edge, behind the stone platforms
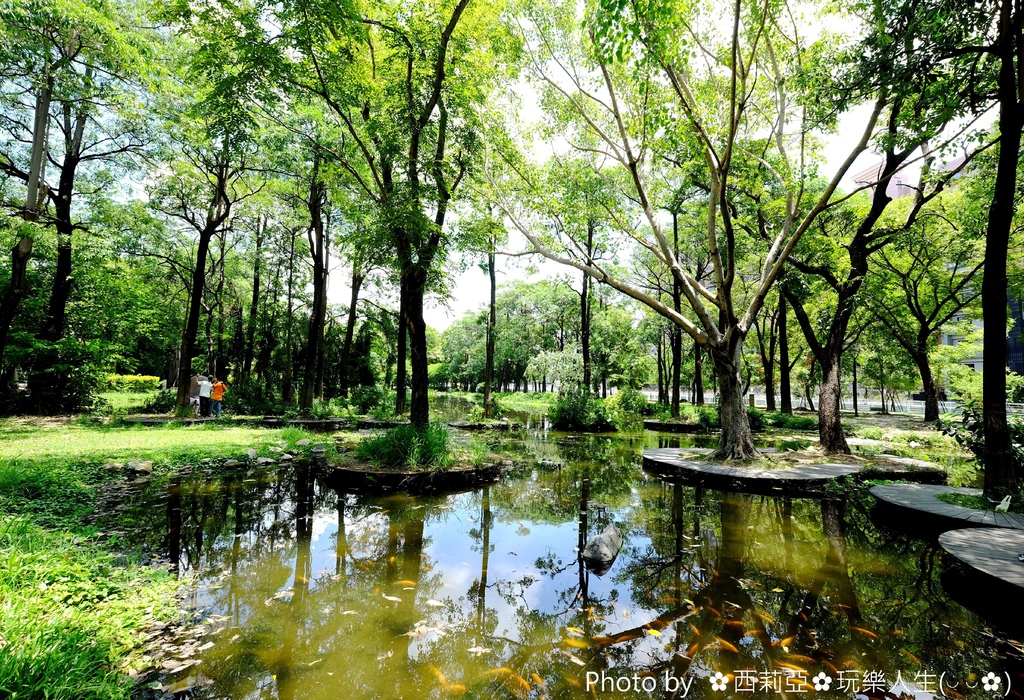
1002	474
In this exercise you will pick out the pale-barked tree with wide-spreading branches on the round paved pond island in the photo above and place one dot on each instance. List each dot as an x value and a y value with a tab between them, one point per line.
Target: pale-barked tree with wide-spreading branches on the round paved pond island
626	76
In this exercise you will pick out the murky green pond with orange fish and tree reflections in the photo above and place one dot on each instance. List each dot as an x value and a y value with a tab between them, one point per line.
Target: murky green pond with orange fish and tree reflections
315	593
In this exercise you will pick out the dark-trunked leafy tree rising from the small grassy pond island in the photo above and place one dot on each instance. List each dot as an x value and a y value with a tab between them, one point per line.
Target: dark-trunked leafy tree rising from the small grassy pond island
408	90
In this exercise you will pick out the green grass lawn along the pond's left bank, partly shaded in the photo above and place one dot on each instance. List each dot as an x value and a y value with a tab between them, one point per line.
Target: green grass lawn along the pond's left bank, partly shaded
73	609
